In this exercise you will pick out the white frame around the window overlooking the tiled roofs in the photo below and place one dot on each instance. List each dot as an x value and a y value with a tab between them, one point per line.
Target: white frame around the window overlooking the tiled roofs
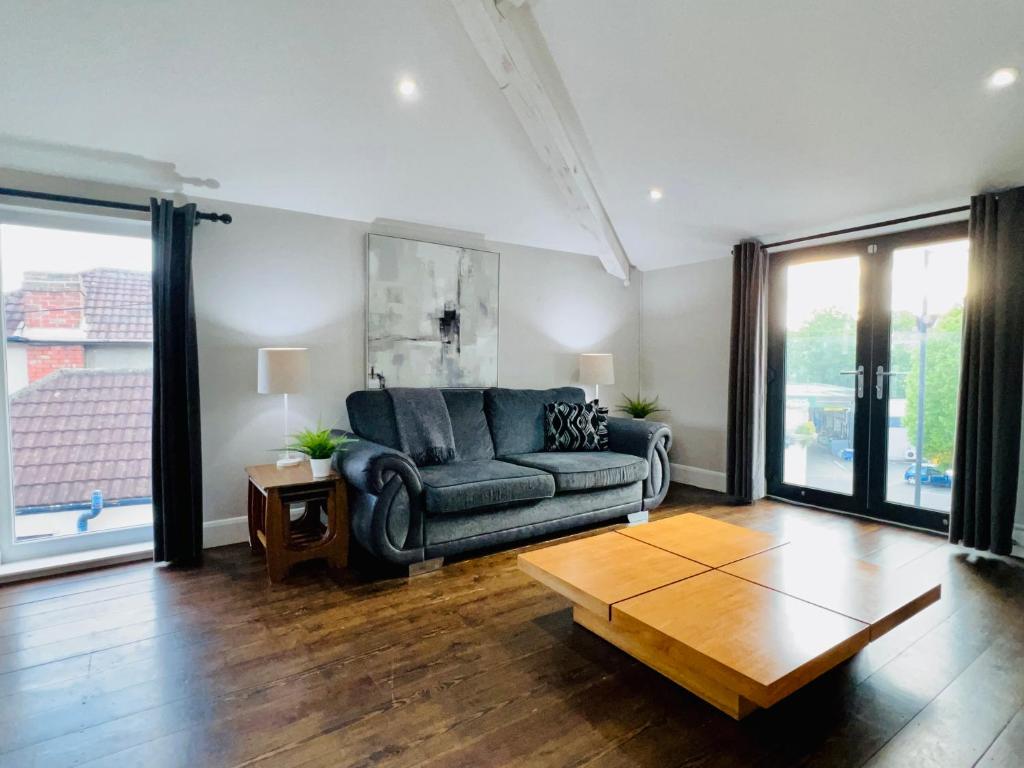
12	550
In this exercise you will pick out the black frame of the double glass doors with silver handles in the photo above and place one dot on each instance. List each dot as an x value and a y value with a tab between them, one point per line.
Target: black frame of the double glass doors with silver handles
871	417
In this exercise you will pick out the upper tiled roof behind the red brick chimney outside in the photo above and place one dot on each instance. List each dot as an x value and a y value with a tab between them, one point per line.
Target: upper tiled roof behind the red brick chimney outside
118	307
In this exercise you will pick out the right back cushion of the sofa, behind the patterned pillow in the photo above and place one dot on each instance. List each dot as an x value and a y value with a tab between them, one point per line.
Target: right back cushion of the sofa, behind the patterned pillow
517	416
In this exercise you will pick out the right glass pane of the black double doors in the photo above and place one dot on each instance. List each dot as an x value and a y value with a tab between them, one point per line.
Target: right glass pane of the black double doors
929	285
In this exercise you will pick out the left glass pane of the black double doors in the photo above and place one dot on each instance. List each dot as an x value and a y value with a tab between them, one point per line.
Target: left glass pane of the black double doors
823	305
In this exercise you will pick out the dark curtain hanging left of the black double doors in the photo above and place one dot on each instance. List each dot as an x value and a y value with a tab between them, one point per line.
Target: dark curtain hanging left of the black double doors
748	371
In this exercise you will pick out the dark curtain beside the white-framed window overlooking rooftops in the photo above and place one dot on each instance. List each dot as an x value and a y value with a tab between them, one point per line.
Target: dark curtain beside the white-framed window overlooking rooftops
178	477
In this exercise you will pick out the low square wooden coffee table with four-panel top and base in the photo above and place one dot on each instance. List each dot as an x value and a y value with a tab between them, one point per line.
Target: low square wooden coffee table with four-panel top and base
738	617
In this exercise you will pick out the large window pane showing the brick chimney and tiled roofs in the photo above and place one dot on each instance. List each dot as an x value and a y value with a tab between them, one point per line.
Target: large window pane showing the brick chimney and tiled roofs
79	362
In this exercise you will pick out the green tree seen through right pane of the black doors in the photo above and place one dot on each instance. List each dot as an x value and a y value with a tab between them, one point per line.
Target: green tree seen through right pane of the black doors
942	381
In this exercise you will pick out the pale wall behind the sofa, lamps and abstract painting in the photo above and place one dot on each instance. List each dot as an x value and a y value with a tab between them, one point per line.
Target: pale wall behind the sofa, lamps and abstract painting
277	278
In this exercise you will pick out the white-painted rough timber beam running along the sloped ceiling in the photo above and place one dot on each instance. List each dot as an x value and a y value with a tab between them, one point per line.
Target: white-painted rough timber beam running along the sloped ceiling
507	58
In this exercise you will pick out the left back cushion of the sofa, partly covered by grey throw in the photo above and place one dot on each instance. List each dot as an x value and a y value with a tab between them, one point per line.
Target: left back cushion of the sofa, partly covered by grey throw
372	415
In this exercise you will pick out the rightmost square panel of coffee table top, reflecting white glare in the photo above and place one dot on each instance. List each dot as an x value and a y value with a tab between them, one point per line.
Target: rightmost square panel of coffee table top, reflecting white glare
880	598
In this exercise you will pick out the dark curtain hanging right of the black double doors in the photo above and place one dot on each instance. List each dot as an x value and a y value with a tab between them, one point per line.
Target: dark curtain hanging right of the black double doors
989	419
